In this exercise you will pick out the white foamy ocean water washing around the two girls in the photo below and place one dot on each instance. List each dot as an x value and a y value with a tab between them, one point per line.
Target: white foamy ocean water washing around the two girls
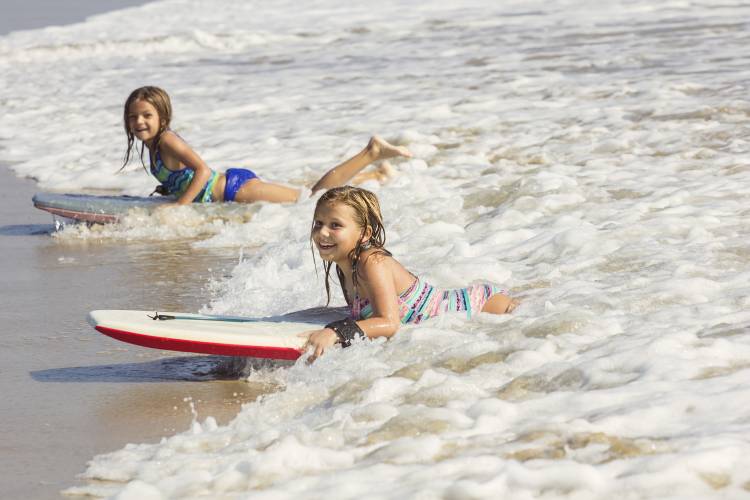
592	157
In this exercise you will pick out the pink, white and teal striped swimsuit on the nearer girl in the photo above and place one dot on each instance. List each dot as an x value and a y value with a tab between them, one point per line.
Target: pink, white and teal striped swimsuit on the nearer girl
422	301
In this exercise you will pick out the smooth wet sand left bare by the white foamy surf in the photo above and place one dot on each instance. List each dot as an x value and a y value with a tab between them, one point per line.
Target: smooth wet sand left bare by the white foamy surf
69	393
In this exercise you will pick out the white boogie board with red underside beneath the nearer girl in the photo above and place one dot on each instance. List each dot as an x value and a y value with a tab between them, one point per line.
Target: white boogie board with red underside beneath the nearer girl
273	337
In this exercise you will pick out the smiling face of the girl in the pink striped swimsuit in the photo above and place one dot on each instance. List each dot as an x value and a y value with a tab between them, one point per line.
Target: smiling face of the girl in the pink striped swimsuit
336	232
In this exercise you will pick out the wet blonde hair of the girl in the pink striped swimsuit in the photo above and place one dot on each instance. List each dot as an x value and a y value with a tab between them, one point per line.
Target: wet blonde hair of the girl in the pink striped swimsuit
367	215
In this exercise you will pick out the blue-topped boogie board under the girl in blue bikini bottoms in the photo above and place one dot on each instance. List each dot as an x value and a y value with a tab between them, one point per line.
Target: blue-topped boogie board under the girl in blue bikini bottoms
90	208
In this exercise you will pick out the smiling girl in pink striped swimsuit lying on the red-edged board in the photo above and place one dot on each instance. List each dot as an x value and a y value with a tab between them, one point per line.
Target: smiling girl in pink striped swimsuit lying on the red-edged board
381	293
